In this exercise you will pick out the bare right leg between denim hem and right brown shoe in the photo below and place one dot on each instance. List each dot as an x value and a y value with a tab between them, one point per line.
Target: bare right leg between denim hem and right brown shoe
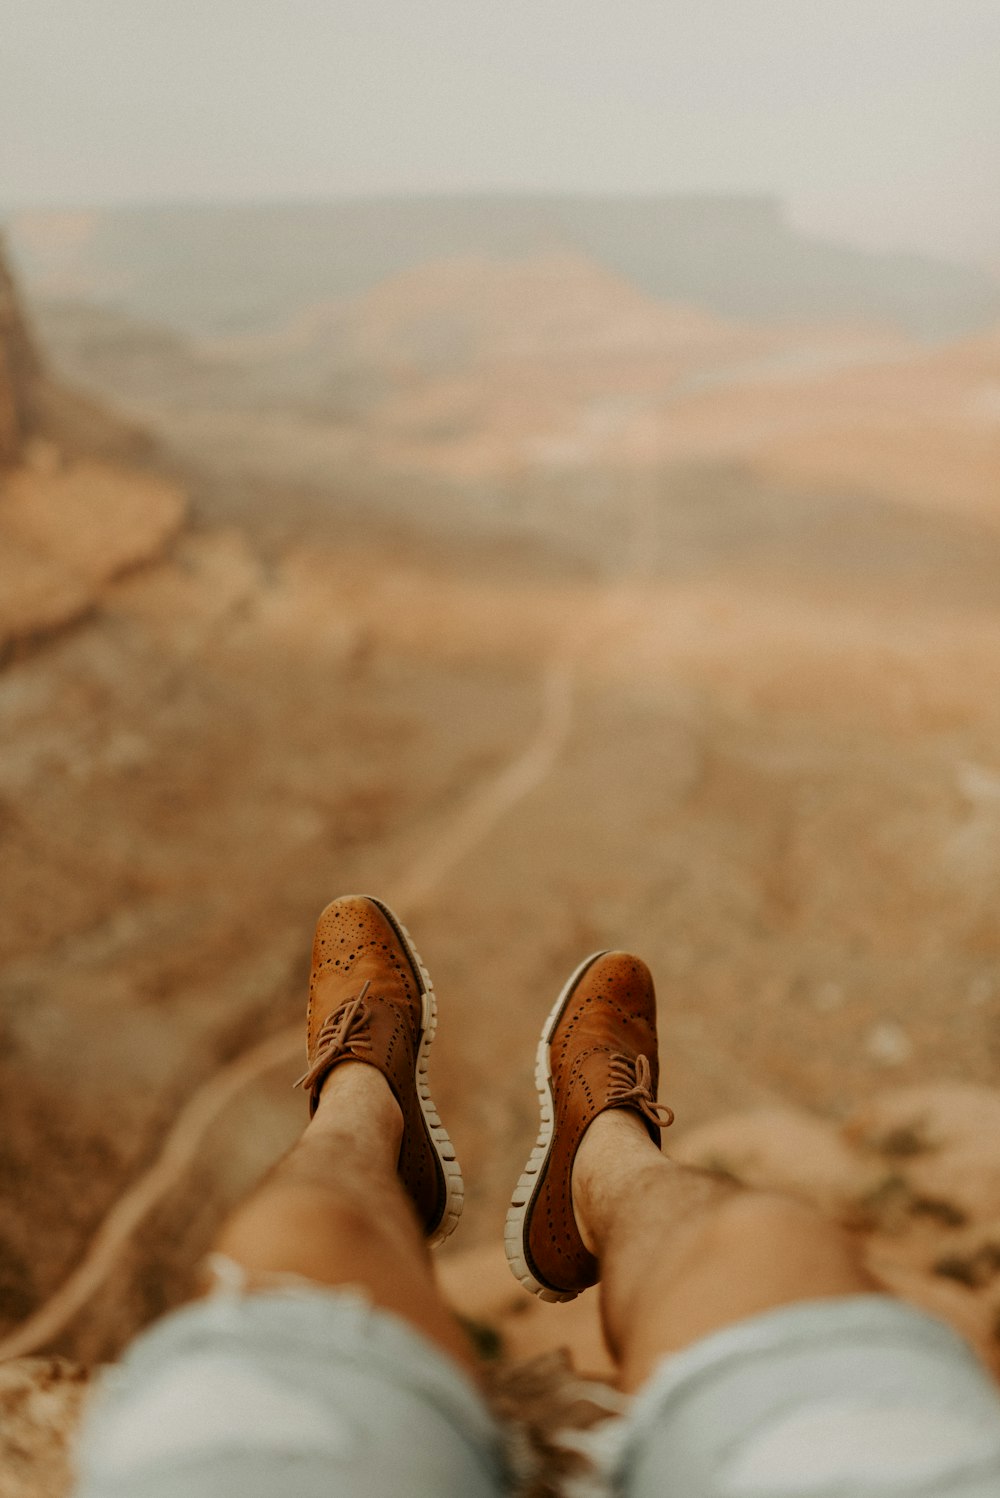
683	1255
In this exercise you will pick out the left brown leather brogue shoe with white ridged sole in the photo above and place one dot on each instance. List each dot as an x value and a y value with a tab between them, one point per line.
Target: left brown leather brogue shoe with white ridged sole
371	998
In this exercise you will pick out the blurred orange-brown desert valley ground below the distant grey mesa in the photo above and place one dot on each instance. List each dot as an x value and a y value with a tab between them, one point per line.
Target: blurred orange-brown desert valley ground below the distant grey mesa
562	619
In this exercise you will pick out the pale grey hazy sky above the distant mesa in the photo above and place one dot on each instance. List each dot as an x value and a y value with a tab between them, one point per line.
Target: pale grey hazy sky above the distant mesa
878	121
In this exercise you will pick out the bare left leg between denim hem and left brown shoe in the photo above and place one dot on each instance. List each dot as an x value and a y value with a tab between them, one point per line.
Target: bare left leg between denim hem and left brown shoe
335	1211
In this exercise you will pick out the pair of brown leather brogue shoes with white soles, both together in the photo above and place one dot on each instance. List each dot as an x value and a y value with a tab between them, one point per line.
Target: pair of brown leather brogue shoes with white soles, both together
372	1000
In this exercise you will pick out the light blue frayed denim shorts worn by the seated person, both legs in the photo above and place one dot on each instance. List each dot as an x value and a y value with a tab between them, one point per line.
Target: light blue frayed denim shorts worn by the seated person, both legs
300	1392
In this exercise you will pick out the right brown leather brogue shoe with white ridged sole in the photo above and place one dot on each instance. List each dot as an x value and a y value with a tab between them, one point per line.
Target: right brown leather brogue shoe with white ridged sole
598	1051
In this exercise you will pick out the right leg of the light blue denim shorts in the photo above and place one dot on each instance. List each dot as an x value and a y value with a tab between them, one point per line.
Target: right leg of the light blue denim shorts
853	1398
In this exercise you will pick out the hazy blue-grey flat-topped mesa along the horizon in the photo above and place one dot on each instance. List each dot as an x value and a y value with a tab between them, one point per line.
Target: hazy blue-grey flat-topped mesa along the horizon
248	267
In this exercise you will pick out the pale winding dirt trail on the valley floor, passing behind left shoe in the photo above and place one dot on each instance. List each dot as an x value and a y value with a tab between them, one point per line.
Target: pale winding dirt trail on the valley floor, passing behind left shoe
472	823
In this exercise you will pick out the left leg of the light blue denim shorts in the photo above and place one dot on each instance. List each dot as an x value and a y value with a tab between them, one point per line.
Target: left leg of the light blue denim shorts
293	1392
